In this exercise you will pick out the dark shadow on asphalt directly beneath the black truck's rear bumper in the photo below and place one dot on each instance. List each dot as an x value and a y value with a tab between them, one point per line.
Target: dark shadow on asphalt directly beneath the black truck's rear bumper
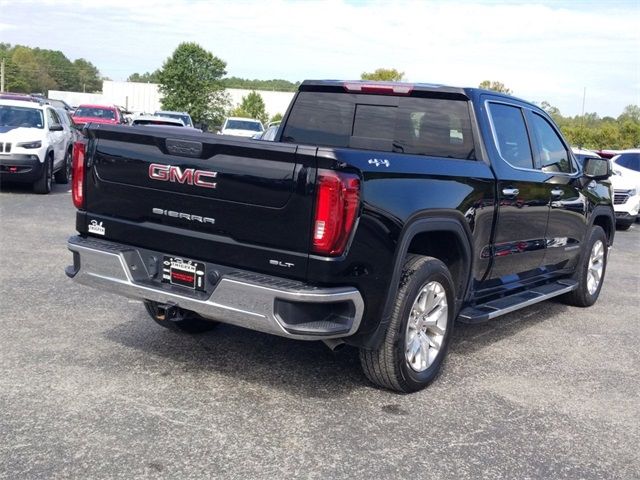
307	369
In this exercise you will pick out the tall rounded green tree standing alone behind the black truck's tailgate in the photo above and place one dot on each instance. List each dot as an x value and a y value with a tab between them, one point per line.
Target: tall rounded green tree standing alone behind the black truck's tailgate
190	80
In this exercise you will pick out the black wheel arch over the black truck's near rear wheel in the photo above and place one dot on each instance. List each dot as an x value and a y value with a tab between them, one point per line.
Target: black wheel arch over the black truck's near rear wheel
443	235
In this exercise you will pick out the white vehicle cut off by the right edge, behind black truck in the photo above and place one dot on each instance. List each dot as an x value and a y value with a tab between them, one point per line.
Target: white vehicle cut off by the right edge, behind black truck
626	185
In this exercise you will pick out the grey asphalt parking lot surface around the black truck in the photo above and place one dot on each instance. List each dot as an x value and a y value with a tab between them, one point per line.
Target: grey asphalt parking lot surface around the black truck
90	387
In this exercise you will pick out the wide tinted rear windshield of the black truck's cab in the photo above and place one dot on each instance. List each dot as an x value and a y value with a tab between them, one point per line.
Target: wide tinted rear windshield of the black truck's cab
423	126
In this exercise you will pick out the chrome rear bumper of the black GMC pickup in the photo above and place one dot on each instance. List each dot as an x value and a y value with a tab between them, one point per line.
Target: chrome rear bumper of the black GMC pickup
258	302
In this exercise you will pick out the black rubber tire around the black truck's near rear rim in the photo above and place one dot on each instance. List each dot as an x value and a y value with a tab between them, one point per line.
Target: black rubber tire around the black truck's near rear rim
388	366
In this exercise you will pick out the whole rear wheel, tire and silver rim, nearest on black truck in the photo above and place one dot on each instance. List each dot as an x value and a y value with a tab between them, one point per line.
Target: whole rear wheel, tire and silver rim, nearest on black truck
418	335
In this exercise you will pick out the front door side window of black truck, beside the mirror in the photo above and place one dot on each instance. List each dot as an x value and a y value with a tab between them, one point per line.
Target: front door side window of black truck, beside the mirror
551	151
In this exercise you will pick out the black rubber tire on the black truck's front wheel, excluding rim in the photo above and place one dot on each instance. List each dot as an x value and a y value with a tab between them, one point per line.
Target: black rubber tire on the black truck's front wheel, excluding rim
582	296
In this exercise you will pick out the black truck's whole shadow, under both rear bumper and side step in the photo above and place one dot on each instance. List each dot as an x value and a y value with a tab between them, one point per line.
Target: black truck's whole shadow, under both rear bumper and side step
306	369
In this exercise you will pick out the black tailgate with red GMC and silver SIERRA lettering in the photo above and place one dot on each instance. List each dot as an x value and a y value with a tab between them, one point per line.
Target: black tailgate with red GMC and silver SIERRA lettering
238	202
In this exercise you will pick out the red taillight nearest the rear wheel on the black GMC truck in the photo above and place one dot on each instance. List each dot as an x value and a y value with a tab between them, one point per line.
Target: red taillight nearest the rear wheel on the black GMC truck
337	202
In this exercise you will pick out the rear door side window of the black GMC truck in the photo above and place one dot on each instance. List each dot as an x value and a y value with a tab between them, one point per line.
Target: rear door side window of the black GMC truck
510	135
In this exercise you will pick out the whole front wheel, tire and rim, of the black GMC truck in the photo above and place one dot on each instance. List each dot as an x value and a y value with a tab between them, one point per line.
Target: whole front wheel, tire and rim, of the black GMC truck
590	273
